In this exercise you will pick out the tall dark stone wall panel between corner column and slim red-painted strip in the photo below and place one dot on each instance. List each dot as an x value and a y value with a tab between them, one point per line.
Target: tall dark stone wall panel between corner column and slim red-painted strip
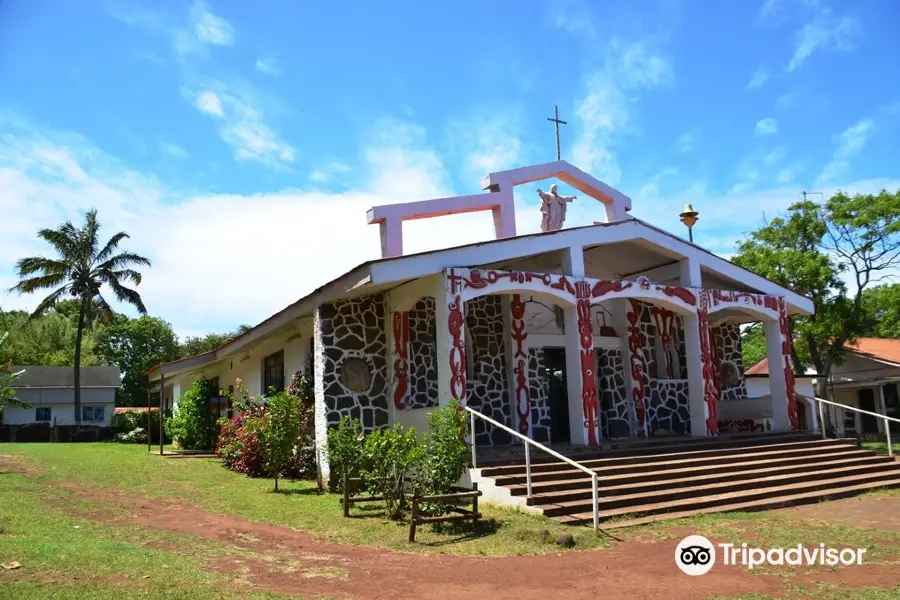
487	389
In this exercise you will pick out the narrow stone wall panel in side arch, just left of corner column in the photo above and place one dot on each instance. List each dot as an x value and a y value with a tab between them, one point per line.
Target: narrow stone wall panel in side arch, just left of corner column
423	377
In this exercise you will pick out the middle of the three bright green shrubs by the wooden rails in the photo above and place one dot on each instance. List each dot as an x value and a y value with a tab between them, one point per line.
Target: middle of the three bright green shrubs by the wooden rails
389	456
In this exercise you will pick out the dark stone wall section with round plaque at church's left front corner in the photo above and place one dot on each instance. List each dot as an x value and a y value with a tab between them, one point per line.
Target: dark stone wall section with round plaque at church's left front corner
351	363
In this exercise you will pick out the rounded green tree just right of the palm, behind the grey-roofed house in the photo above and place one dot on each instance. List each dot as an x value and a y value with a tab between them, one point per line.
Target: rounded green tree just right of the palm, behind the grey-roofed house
137	345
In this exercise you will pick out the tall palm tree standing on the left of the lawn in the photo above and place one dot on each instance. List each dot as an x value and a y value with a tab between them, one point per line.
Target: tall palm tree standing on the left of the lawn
79	270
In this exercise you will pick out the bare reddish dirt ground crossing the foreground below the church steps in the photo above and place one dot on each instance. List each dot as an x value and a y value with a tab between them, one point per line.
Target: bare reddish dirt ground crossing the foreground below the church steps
283	560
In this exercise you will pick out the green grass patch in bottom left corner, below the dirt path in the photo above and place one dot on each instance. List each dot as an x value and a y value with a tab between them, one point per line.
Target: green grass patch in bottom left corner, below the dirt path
71	557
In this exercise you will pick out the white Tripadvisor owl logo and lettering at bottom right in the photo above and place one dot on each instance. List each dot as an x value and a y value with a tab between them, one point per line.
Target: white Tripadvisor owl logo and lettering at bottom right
696	555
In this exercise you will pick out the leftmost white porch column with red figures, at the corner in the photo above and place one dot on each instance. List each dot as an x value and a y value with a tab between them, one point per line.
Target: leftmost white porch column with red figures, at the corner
450	331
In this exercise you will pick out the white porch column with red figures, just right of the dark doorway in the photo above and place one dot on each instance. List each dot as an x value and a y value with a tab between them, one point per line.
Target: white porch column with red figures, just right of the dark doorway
581	367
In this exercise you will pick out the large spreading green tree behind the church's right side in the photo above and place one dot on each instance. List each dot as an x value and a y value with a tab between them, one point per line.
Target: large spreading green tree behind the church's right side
832	253
